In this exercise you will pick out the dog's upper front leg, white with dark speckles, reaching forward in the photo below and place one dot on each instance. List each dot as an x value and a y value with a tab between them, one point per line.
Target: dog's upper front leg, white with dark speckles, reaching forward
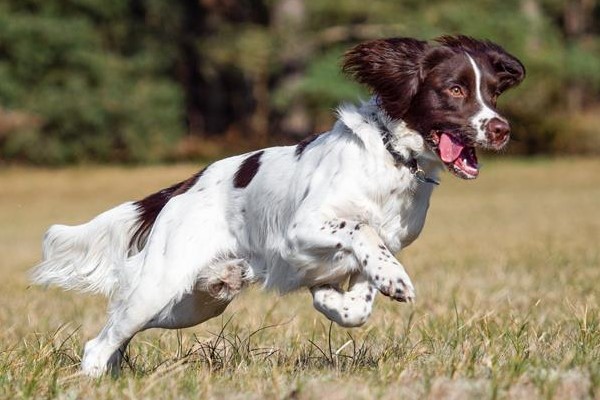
307	243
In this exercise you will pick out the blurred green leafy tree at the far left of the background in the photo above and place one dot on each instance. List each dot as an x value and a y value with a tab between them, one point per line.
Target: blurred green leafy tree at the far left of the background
82	71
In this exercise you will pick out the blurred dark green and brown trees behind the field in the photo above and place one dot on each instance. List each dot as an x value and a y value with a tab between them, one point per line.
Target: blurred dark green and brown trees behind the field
134	81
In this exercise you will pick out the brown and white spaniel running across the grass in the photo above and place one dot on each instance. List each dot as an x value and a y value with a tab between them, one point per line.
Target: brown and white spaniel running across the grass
327	214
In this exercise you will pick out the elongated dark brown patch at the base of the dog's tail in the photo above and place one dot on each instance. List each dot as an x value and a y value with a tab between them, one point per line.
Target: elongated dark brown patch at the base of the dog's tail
150	206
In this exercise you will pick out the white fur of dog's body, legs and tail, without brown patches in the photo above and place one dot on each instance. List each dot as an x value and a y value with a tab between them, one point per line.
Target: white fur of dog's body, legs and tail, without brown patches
340	210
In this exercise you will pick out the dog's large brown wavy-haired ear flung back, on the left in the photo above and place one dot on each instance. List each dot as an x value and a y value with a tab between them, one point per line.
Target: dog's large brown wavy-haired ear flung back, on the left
392	68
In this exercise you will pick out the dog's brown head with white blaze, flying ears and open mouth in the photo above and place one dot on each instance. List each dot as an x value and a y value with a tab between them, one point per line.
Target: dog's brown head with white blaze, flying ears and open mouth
446	91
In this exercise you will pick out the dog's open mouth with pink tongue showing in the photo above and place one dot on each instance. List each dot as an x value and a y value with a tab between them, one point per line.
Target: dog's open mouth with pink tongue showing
459	158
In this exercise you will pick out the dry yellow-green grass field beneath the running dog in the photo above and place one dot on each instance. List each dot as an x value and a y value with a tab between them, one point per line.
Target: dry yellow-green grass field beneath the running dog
507	273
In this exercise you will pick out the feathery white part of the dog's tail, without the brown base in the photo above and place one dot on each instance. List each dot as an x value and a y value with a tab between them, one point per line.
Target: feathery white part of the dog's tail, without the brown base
87	257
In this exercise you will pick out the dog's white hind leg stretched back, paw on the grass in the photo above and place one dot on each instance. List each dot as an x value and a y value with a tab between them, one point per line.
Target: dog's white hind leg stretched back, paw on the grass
165	277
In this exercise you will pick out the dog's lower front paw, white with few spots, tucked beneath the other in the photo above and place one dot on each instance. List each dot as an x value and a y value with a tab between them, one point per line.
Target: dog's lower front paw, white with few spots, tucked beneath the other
350	308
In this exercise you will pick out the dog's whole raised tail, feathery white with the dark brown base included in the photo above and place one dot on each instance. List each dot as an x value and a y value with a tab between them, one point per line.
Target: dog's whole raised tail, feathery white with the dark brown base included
90	257
